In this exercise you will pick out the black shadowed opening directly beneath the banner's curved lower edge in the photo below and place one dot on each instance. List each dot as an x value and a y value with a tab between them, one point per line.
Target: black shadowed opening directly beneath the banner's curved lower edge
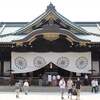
47	70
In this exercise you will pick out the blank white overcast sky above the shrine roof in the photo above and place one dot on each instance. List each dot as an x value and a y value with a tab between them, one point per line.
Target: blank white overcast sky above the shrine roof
27	10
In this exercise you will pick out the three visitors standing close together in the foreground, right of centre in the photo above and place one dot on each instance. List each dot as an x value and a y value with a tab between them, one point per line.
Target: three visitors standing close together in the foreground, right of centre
72	87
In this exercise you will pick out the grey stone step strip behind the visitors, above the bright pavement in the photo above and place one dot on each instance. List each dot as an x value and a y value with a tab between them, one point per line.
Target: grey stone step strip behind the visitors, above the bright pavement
40	89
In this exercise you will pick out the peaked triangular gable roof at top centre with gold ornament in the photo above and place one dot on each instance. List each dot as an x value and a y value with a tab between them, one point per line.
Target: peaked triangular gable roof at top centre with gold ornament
49	14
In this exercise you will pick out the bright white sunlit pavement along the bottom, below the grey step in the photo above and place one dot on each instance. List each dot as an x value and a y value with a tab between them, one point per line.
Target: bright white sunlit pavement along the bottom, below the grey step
46	96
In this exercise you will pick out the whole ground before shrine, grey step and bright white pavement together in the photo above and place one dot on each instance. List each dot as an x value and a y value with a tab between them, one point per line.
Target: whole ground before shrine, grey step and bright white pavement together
45	93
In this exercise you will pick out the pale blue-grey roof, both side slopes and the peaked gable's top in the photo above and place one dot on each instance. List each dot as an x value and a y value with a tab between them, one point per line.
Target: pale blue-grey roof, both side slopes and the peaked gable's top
9	31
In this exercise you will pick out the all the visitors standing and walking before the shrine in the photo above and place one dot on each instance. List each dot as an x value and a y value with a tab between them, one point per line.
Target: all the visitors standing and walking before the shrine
73	86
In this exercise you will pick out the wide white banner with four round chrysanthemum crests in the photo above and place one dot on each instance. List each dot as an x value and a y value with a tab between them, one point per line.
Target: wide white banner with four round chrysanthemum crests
31	61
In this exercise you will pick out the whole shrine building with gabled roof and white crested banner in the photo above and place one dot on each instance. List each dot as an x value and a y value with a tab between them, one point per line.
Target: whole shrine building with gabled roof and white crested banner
49	45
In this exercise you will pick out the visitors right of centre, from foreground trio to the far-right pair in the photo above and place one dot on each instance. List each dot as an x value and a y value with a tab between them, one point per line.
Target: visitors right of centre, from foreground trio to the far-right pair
73	86
